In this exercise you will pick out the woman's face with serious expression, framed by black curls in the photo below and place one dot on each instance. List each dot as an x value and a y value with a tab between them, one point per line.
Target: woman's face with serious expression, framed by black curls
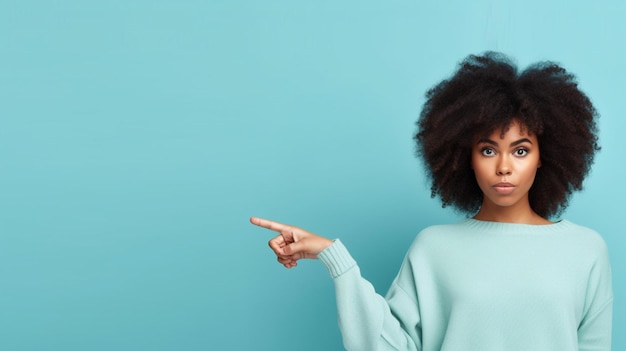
505	167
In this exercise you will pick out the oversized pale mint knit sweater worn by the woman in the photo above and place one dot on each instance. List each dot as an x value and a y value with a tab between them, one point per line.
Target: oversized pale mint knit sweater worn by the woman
482	286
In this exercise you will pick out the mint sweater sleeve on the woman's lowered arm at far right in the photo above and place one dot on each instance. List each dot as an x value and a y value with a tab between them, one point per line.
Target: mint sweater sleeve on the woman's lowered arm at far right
594	331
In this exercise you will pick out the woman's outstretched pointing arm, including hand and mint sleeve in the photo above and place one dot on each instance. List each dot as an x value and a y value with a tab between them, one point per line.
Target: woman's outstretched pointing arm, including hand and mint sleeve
367	320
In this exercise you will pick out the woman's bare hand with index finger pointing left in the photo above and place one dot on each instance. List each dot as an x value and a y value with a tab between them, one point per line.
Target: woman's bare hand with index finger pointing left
293	243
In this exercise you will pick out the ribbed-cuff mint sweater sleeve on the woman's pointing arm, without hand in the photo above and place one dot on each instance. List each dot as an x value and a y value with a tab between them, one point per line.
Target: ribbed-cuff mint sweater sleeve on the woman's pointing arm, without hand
367	320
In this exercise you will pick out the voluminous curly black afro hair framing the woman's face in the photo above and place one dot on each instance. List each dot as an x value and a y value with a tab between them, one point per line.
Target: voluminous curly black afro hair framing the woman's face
486	93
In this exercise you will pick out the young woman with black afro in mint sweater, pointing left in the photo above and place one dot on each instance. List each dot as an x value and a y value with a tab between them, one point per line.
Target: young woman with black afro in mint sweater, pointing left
508	149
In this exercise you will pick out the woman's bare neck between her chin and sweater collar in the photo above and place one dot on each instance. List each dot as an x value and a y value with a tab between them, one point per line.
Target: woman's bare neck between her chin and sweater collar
520	213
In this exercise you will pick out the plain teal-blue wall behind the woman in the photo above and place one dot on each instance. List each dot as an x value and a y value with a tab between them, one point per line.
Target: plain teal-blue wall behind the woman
137	137
